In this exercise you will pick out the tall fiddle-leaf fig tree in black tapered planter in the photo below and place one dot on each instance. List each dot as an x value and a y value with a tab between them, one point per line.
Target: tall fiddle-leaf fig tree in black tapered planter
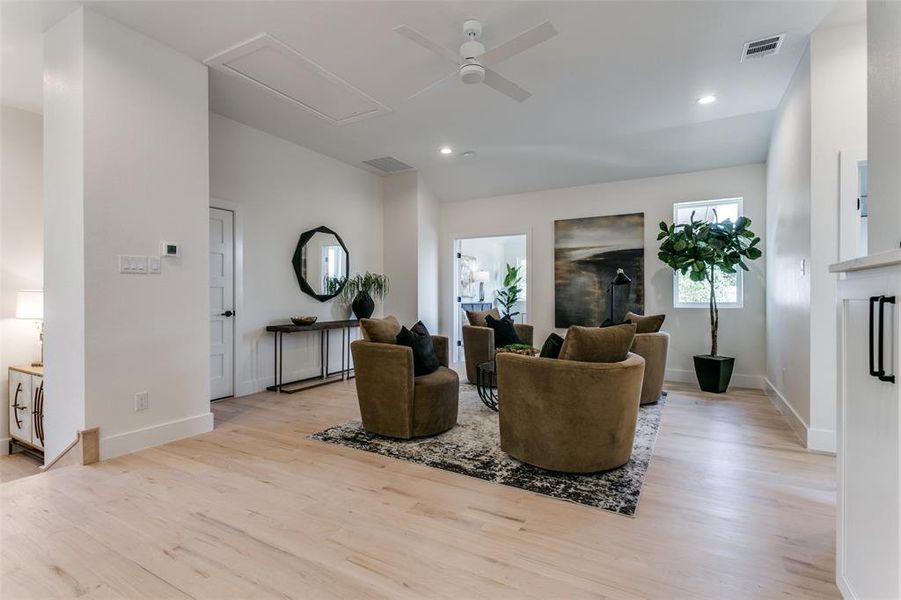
700	250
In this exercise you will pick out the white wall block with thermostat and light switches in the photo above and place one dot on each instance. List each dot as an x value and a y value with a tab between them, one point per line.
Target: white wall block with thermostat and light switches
145	169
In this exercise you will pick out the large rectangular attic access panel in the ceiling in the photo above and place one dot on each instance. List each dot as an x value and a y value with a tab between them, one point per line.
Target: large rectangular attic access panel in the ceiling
272	65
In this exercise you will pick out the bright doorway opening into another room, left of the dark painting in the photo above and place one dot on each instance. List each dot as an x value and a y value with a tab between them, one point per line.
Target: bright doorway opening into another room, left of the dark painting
481	266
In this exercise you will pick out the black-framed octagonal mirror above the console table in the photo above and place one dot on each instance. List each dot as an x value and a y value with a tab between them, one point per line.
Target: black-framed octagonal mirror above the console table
321	263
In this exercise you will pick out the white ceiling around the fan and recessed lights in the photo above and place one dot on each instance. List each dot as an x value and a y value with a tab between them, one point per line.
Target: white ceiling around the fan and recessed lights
613	94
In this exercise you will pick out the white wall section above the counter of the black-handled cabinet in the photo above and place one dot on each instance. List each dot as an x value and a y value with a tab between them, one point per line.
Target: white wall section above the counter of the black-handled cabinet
884	100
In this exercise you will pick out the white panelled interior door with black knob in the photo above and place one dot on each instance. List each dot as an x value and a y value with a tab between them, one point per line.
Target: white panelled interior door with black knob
222	303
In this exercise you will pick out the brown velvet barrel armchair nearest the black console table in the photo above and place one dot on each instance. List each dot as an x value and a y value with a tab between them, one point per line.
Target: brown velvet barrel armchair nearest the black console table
393	402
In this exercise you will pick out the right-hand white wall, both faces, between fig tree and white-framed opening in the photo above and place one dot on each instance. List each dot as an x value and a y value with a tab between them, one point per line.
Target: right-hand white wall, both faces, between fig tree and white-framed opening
823	112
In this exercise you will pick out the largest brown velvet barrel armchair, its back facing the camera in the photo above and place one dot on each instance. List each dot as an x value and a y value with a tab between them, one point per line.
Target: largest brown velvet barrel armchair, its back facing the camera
570	416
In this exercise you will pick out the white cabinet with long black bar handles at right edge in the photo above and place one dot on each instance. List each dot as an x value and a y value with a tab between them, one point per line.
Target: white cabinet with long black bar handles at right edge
869	422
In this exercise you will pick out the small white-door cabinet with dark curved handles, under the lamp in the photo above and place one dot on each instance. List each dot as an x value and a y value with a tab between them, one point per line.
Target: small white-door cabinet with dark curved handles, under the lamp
26	406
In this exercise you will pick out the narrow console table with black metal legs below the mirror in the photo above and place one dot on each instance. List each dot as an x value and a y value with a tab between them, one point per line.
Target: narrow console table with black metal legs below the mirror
325	376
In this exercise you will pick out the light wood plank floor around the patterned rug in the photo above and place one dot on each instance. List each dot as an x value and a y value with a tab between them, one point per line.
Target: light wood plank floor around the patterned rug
732	507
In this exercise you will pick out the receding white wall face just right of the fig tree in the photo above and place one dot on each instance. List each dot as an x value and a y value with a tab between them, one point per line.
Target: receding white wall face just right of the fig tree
788	241
